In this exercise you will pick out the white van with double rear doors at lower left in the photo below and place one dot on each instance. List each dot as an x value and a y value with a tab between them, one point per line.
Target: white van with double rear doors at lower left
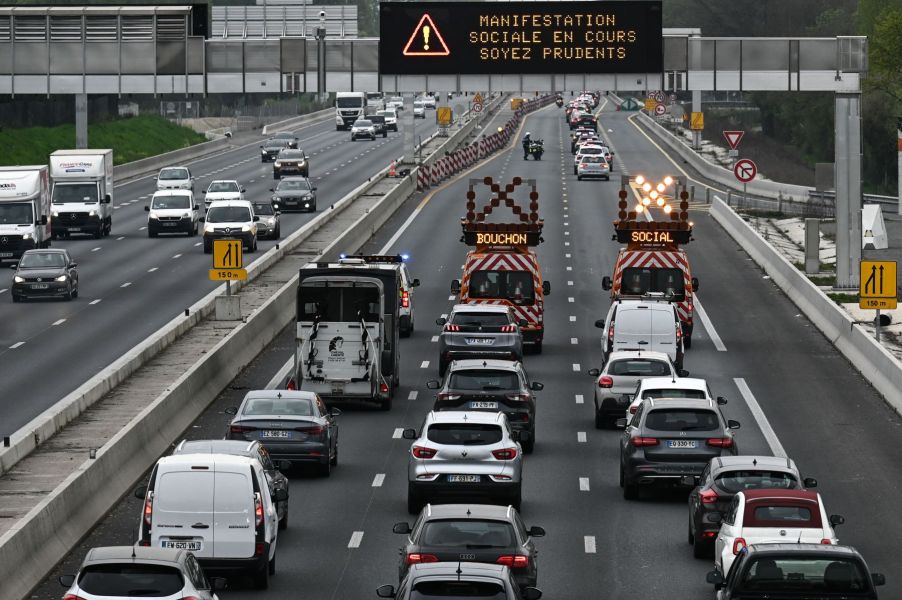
215	505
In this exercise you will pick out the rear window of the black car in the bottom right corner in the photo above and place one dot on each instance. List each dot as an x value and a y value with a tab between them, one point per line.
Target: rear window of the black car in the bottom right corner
834	577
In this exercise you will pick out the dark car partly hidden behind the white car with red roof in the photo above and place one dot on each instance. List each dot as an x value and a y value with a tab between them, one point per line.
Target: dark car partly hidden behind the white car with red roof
722	479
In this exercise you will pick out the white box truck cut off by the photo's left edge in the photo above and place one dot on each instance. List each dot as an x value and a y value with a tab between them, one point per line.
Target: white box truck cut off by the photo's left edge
24	210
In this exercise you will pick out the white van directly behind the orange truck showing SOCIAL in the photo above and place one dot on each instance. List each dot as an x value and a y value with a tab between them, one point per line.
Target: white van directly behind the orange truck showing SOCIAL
643	324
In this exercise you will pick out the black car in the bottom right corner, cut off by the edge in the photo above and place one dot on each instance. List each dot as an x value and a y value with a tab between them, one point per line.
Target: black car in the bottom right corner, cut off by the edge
804	571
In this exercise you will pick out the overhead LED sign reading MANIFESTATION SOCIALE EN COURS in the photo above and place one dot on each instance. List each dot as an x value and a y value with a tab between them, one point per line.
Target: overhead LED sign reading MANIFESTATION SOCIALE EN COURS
479	38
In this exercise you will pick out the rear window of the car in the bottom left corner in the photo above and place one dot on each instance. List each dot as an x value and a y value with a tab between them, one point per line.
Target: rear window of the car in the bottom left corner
131	580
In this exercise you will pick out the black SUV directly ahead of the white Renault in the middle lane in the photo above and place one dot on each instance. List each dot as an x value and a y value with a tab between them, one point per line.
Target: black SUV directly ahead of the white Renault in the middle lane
491	386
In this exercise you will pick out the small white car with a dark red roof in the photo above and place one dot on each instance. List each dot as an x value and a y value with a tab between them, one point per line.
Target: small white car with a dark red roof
772	516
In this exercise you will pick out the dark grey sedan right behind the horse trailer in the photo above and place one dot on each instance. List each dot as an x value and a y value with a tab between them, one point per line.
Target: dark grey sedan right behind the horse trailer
292	425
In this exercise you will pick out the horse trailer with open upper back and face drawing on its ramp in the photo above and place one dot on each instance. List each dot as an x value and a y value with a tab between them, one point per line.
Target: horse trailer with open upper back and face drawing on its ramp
347	331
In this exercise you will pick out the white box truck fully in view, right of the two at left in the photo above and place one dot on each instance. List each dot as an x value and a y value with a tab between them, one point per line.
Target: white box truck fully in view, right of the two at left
82	192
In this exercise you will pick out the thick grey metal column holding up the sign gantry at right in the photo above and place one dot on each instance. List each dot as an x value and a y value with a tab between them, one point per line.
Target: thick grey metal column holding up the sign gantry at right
848	188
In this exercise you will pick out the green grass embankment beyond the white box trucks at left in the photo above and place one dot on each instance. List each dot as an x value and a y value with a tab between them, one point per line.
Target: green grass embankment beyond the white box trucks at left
130	138
